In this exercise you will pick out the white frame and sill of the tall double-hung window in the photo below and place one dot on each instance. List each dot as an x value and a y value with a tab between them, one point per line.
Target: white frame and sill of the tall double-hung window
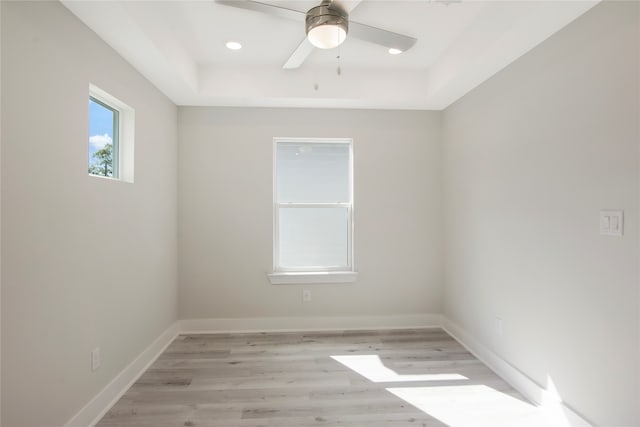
312	274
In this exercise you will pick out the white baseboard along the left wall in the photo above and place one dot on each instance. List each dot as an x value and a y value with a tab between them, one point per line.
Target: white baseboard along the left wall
93	411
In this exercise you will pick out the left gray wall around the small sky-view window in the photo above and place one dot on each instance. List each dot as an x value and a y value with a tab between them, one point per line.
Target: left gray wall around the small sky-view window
86	262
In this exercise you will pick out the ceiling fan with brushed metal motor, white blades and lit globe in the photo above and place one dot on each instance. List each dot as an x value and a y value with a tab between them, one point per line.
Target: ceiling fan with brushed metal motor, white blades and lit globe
327	25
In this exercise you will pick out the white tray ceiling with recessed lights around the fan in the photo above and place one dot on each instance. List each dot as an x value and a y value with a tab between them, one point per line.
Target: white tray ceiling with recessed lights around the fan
180	47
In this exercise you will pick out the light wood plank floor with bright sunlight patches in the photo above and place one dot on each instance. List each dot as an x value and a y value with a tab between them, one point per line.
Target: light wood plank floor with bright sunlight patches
363	378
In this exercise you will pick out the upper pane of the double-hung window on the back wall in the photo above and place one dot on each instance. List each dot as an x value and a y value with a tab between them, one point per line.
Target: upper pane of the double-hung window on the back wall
313	172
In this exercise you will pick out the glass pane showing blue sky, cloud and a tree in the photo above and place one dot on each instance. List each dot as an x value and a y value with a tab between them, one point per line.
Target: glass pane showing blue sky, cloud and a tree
103	125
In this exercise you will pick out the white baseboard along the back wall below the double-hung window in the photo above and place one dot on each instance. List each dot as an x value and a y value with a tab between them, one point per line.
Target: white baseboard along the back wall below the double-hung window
296	324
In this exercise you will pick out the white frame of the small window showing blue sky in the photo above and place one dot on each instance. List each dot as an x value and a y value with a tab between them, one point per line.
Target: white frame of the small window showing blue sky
123	149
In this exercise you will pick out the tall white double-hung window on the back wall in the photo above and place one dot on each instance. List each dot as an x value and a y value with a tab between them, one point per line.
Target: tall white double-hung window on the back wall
313	210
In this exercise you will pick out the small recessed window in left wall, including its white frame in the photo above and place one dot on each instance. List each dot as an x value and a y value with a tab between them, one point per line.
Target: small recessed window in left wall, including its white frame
111	133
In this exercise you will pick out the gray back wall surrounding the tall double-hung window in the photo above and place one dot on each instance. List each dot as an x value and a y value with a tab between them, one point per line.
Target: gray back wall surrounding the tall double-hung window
225	213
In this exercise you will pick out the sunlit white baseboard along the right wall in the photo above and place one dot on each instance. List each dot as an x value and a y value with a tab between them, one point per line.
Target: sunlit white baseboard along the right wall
519	381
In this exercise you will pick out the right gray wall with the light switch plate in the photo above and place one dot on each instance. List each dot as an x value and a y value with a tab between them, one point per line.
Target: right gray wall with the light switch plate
530	158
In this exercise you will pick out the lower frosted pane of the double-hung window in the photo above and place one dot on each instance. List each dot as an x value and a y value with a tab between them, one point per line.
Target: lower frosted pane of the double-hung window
313	237
